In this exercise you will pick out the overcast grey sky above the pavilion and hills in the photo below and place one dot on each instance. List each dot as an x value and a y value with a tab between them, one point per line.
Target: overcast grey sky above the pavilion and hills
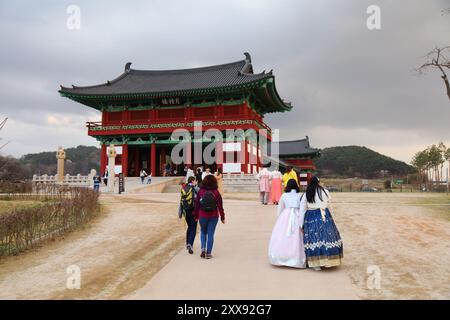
348	85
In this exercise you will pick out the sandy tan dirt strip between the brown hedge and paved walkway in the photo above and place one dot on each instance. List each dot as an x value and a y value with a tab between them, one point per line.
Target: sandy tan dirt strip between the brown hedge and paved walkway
116	254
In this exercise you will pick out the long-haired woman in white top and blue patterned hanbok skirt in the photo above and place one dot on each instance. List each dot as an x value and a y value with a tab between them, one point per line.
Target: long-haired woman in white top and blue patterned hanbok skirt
322	241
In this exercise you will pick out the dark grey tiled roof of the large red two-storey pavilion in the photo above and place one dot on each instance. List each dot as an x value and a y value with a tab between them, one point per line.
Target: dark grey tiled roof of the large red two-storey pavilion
148	81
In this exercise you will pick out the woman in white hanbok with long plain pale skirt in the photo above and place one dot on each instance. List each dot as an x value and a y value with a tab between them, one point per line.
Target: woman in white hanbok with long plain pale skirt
286	243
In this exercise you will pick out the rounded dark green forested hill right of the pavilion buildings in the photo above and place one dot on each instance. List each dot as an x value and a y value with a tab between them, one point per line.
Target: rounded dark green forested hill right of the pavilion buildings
351	161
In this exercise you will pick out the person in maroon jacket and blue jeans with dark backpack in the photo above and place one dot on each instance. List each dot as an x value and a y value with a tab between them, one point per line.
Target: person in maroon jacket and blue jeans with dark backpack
207	210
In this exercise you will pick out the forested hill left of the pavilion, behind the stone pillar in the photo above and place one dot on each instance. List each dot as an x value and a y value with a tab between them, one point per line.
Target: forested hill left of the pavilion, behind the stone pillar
78	160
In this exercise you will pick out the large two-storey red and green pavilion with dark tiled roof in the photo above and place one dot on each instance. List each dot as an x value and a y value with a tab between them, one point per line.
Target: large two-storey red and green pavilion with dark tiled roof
141	108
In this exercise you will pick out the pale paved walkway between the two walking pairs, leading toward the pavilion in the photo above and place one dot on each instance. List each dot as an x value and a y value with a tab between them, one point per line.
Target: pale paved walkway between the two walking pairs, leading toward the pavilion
240	267
